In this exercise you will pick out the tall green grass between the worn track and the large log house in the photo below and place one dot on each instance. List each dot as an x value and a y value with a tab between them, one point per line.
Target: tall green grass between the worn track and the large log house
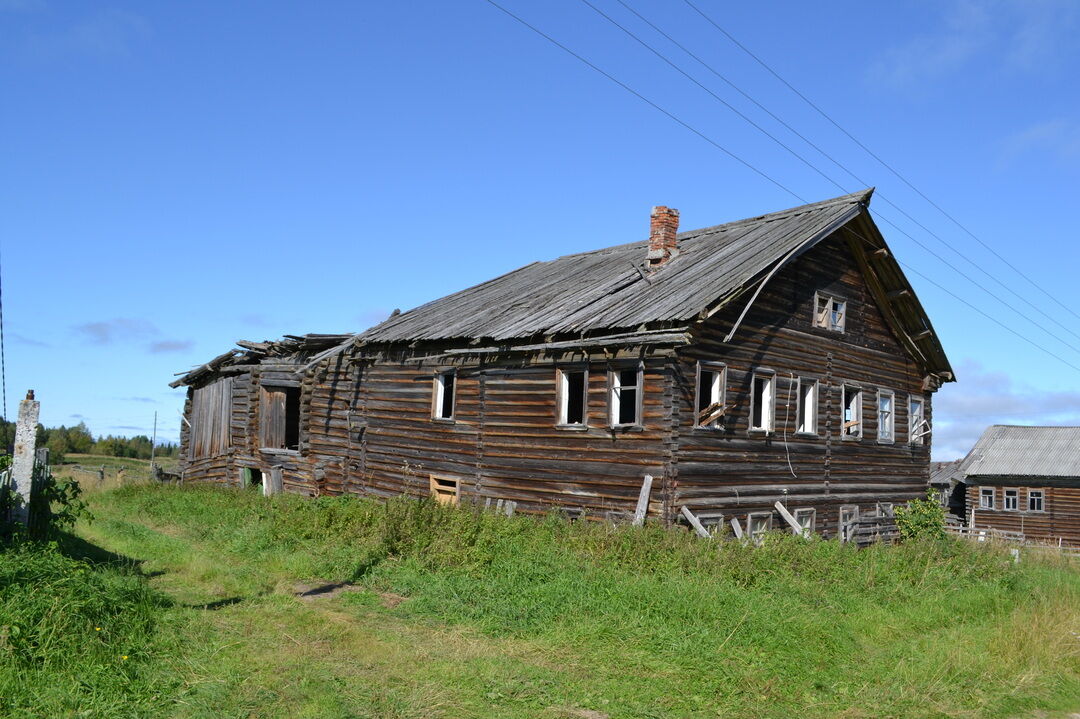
678	627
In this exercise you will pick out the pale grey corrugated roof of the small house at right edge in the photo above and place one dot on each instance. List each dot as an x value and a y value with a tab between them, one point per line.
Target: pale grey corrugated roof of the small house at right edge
1020	452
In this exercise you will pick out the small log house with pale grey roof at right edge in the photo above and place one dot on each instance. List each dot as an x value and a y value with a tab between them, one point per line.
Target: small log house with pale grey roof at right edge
1025	480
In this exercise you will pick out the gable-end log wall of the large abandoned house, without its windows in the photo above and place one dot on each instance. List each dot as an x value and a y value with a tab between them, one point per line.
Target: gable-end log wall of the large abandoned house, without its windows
734	472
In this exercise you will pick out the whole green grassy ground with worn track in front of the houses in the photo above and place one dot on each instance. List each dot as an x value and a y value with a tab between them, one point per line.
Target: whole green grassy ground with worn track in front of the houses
460	614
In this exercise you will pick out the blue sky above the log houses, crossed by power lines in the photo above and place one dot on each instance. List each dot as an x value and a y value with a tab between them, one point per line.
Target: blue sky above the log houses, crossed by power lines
178	177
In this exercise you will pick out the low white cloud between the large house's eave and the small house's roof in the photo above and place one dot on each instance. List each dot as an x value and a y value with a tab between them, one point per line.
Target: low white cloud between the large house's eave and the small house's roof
980	399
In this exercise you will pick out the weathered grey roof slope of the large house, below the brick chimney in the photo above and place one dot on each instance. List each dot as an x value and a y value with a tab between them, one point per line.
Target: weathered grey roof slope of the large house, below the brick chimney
607	289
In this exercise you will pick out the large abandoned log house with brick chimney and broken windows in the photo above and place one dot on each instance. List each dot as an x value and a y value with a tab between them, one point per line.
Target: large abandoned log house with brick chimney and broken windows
782	358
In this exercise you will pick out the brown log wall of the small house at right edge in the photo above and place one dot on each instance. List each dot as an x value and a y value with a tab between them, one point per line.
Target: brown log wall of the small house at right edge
1060	521
